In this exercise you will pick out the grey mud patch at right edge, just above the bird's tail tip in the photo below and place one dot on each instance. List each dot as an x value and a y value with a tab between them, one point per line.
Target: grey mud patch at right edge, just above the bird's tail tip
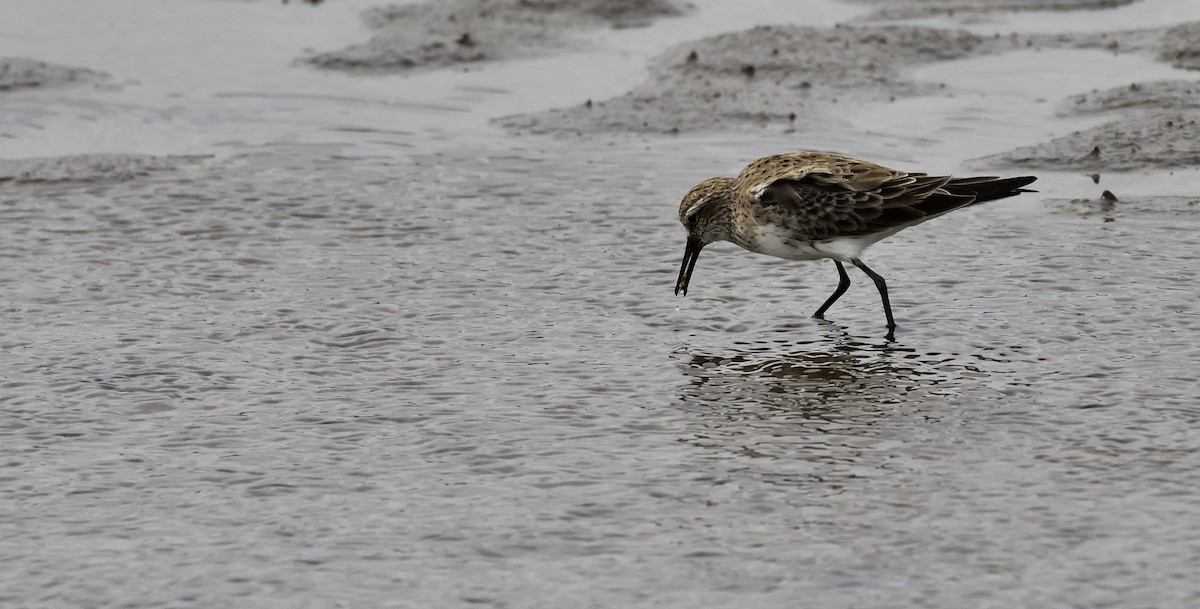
1157	142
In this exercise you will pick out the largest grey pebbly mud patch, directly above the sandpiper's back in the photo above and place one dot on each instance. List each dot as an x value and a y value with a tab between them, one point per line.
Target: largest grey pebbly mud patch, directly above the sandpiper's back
767	75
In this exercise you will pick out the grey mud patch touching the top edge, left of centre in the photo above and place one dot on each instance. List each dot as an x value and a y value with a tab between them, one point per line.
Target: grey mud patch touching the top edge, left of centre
461	32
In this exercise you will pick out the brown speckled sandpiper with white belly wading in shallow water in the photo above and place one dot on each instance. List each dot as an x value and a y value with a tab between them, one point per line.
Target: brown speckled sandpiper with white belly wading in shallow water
813	206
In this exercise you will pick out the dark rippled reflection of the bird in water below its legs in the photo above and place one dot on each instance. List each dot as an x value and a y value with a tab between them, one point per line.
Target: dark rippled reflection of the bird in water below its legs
817	413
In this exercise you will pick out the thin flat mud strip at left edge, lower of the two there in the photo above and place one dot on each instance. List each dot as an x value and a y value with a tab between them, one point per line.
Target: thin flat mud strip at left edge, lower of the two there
91	168
